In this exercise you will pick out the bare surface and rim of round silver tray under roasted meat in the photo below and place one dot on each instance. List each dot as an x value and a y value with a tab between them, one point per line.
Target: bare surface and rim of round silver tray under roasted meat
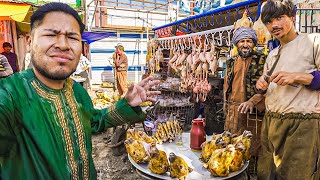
191	158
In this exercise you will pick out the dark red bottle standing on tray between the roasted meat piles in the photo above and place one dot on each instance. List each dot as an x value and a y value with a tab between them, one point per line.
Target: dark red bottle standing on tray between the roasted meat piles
197	133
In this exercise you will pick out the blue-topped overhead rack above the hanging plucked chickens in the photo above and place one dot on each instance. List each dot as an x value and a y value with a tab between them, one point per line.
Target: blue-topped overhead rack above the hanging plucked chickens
219	17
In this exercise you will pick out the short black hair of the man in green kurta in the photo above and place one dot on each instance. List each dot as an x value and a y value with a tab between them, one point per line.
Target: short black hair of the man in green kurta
38	15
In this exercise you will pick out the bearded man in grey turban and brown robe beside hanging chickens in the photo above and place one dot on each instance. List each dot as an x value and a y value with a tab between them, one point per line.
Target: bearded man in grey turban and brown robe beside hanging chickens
242	73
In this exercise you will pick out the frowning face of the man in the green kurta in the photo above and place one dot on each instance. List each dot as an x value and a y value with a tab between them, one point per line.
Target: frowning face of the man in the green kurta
55	46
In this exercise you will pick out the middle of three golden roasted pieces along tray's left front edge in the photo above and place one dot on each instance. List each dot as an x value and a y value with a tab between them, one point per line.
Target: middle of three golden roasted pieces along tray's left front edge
158	163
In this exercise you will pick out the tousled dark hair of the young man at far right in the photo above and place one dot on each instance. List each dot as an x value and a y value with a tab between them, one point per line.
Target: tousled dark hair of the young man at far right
276	8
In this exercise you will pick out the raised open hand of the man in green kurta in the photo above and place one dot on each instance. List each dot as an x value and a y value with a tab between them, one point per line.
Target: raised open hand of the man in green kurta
139	93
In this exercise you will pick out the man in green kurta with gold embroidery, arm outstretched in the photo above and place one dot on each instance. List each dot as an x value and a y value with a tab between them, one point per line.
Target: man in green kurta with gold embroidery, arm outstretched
46	119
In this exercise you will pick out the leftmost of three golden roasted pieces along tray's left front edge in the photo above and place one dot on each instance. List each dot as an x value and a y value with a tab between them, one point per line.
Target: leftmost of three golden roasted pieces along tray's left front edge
136	150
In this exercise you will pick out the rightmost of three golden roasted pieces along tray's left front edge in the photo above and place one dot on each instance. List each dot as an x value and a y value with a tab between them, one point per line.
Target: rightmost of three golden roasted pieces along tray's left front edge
178	167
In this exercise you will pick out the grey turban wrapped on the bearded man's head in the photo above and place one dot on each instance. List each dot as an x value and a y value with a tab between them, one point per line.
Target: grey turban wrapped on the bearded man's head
242	33
